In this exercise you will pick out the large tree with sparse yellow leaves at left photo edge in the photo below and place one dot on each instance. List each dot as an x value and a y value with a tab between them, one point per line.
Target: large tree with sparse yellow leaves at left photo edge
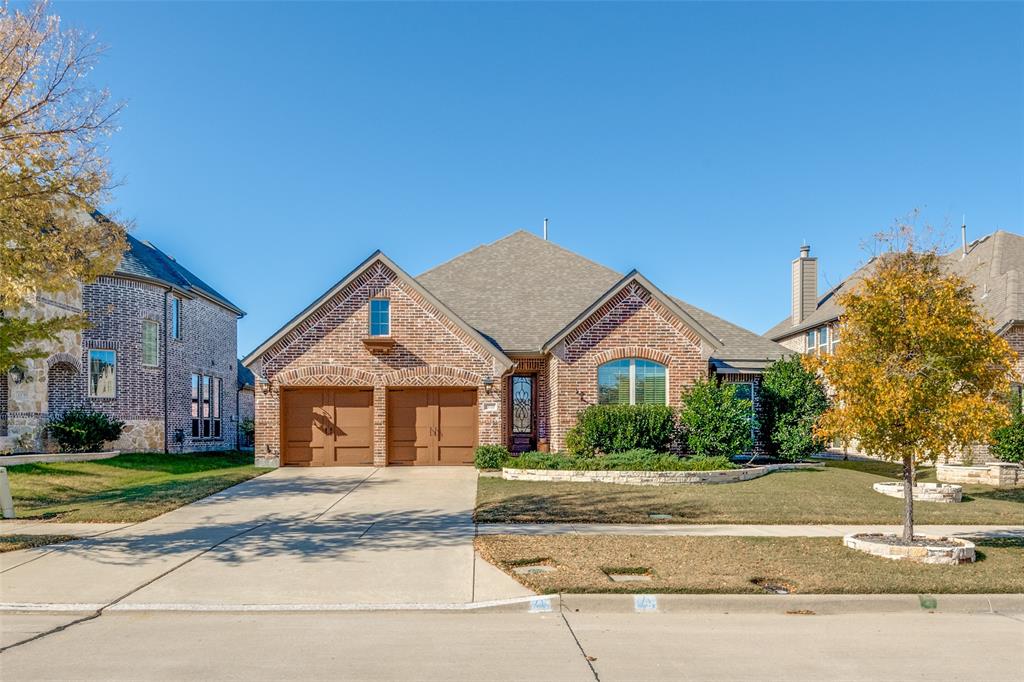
54	174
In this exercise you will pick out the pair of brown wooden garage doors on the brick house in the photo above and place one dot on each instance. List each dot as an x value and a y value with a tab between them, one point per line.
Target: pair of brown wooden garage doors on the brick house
335	427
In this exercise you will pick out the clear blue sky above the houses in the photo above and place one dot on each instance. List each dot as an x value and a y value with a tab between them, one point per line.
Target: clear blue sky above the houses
272	148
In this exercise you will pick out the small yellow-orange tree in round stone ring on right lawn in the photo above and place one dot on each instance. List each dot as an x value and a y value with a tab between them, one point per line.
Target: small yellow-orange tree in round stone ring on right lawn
920	373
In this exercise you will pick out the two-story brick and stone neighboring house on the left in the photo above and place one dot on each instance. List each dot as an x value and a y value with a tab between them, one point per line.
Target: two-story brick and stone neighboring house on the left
160	354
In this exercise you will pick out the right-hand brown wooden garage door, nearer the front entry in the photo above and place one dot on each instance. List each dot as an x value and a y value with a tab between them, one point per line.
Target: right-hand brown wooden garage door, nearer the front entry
432	427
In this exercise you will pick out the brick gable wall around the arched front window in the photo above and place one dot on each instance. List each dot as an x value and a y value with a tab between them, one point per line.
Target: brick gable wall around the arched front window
633	324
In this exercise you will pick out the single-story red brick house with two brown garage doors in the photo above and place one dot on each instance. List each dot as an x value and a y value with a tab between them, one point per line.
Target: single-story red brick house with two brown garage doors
503	345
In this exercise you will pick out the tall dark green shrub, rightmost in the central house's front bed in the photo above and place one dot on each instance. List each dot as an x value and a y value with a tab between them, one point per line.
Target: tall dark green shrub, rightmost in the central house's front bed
792	401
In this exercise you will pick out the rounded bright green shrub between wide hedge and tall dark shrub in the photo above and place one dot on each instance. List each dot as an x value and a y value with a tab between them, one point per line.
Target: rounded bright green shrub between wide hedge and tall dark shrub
714	421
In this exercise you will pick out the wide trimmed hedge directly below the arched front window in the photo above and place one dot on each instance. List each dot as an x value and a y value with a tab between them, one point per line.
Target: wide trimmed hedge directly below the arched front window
617	429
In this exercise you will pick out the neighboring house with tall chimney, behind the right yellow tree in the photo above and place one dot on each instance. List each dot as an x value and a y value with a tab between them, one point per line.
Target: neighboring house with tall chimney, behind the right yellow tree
995	265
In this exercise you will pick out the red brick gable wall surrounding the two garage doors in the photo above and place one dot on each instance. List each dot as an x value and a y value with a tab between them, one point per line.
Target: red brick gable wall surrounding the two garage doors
327	350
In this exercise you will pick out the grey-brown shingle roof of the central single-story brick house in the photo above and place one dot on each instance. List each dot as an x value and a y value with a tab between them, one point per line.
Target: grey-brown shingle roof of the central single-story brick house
522	290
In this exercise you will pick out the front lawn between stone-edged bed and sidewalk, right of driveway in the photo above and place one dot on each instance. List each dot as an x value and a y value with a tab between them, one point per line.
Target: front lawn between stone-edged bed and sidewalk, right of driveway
839	493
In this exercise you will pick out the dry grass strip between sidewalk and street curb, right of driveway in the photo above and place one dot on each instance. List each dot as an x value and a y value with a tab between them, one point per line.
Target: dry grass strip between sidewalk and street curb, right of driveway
748	566
